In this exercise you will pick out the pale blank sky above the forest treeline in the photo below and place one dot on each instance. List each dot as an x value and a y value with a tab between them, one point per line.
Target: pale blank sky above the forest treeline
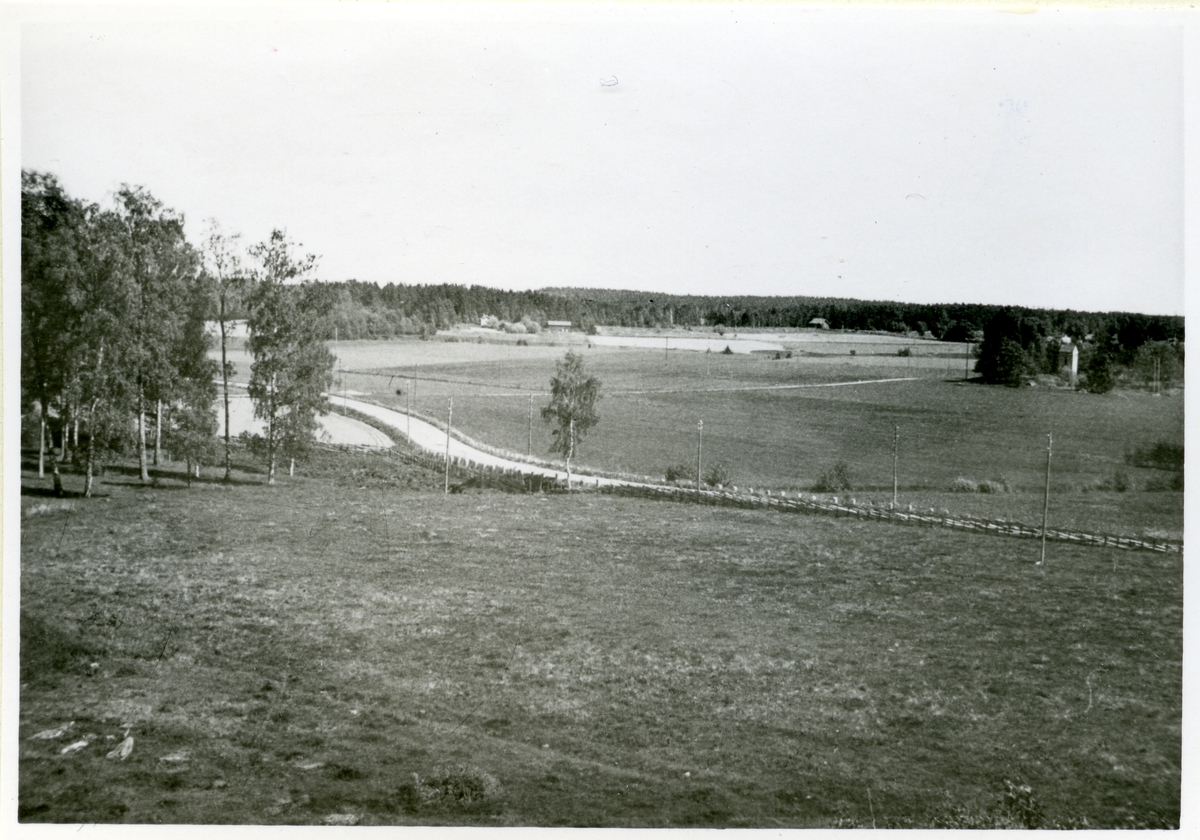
1034	160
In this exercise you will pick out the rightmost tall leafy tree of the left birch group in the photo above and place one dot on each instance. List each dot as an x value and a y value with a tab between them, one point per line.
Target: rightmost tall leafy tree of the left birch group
292	367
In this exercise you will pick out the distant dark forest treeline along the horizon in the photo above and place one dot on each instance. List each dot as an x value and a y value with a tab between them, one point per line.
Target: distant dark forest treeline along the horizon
369	311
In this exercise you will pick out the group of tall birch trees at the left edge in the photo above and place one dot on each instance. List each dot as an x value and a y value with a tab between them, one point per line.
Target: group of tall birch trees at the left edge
115	303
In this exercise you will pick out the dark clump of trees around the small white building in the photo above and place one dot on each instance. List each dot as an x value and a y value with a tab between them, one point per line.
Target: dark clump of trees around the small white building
1132	349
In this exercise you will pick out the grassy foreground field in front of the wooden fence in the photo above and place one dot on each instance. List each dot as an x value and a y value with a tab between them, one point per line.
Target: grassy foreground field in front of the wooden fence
356	649
